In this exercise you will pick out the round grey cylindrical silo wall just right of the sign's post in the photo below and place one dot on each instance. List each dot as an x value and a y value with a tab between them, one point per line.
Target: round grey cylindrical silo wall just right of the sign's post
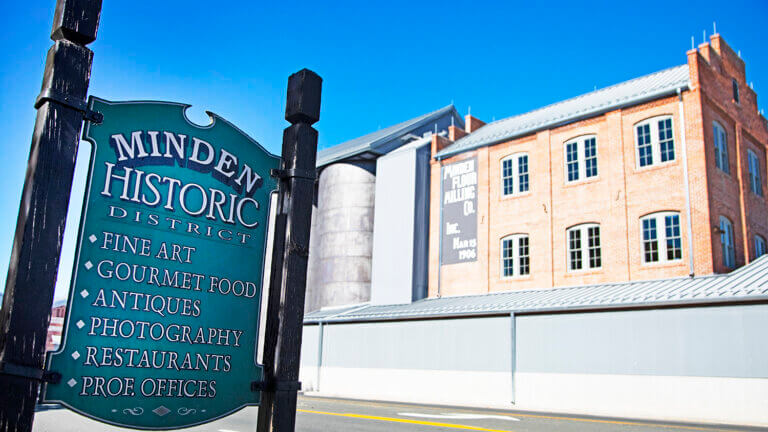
341	239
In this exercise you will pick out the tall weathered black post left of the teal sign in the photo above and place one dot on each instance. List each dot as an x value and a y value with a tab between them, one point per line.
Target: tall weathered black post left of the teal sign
34	262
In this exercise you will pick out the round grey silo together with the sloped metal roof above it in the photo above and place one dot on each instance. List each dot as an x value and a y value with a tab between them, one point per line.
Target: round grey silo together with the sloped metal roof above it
341	241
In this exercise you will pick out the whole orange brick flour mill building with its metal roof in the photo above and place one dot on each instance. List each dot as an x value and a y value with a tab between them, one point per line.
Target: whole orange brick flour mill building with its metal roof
657	177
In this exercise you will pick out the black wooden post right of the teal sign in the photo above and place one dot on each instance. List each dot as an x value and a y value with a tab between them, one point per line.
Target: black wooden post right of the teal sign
285	310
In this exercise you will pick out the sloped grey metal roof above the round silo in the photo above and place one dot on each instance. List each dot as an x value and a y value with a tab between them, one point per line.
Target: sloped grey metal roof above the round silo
375	140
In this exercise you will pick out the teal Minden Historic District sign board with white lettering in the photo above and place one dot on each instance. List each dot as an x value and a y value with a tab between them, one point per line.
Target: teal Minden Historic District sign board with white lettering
162	323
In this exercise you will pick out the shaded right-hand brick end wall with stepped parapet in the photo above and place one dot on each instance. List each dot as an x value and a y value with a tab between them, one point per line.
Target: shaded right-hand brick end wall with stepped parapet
713	67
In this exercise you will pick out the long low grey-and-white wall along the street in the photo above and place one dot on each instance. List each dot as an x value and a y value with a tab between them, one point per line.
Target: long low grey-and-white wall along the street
702	364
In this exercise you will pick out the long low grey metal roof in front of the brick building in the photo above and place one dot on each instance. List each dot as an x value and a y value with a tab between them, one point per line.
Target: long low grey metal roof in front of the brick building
747	284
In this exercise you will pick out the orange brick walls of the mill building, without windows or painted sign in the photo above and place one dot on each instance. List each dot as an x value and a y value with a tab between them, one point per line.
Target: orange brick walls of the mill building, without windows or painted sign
622	192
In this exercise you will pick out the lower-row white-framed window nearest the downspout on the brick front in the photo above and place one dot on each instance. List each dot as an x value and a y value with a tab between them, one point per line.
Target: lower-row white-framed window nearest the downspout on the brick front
660	233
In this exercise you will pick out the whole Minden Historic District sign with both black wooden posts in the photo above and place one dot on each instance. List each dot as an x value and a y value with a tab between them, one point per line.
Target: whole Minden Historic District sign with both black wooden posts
162	321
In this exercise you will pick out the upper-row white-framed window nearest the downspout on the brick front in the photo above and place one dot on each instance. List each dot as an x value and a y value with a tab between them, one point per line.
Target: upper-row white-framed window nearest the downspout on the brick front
654	141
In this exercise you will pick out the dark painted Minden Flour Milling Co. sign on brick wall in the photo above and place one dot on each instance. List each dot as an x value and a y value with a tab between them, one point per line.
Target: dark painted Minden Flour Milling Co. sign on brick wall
459	222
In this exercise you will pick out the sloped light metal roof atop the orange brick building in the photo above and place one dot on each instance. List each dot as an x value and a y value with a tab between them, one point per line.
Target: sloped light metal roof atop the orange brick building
656	85
